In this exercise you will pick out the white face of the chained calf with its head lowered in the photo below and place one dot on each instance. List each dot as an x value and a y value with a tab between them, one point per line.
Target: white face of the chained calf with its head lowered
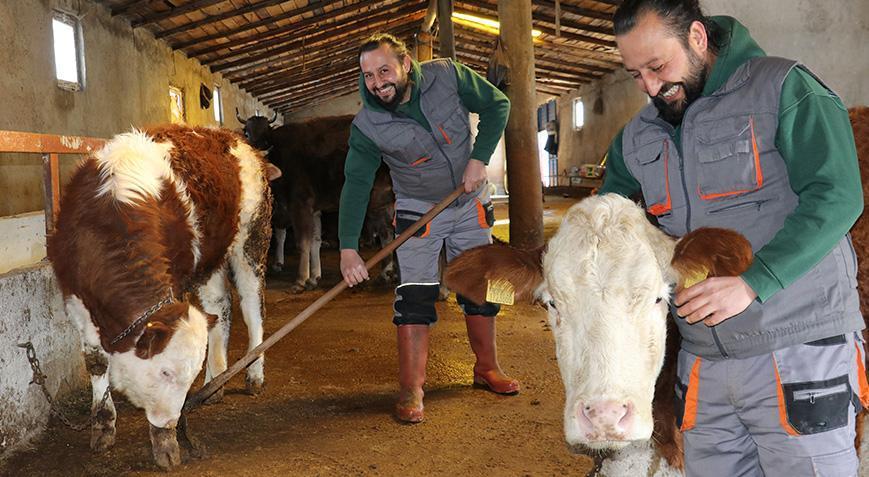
159	385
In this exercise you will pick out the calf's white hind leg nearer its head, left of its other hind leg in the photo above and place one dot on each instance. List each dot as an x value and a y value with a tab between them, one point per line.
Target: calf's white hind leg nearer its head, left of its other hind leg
217	301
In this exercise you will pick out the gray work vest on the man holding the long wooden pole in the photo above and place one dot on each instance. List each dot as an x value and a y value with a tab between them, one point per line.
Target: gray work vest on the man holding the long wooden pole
425	165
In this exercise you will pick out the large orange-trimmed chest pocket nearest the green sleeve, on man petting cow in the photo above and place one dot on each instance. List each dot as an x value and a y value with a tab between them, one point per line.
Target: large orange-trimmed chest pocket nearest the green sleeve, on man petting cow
728	159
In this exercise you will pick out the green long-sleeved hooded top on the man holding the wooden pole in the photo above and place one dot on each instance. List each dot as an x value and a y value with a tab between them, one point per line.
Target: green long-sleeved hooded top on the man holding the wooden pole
364	157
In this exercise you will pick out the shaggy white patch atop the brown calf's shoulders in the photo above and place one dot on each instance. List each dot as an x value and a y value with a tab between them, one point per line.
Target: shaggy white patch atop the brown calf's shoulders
133	167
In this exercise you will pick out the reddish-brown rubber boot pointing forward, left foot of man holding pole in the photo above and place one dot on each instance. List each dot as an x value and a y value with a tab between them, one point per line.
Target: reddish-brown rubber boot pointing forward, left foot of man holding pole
412	358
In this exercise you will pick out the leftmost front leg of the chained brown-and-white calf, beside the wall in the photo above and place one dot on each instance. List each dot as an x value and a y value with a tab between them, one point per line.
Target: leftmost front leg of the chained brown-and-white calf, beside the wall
97	364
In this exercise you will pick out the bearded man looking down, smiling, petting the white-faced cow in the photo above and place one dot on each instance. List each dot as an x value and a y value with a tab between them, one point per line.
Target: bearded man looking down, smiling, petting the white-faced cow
770	367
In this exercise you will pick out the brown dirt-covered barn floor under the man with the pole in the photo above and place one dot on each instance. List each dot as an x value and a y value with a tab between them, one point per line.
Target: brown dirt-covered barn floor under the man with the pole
330	388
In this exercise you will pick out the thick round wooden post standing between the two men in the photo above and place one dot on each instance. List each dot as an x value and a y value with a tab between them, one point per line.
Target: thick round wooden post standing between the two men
520	137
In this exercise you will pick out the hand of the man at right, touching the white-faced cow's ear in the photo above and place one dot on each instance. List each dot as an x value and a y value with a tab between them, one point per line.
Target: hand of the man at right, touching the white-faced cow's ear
714	300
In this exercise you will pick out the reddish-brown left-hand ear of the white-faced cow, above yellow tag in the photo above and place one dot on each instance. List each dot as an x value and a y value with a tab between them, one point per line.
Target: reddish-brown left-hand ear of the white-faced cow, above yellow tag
470	273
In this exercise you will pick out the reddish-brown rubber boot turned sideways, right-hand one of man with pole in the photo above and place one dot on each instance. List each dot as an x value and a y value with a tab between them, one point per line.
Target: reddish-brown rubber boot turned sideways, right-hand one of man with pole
487	373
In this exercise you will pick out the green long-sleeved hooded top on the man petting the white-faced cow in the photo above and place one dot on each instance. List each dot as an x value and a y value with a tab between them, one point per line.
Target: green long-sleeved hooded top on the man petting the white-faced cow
815	140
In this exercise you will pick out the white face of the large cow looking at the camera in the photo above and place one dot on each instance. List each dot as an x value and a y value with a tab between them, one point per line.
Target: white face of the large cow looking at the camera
608	313
